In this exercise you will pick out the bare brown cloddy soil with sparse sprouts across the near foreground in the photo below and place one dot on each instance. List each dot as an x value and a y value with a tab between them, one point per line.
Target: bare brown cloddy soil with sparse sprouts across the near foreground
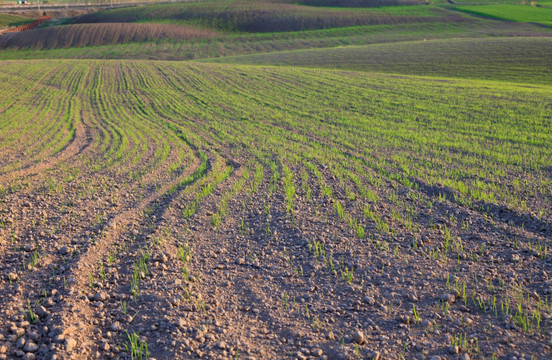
264	284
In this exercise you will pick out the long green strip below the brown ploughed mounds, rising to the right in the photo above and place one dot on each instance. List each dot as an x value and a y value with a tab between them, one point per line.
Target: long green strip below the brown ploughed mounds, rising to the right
236	44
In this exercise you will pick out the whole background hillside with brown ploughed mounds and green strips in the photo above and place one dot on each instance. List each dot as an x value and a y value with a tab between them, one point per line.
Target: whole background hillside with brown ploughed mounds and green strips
392	24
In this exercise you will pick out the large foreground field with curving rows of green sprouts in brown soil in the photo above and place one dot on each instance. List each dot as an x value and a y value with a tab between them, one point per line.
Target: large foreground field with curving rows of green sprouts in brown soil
225	211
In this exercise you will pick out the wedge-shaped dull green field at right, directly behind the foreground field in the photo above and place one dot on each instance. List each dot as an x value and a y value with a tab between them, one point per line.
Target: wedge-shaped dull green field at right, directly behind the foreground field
512	59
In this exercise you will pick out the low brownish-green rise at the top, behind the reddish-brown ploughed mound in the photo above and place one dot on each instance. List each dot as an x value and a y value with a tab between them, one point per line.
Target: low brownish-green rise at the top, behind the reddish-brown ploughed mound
271	17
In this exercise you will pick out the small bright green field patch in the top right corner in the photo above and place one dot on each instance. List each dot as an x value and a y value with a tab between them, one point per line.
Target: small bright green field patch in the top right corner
520	13
